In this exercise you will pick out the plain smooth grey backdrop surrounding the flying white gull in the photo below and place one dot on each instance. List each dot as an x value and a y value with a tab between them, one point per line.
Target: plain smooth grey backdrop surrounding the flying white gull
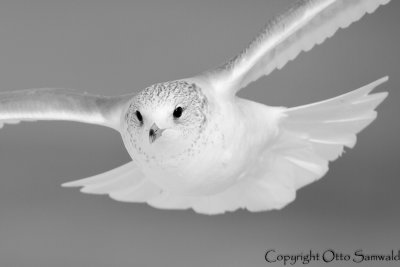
114	47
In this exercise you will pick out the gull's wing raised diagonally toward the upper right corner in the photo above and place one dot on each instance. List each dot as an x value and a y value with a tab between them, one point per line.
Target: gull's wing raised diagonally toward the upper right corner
307	23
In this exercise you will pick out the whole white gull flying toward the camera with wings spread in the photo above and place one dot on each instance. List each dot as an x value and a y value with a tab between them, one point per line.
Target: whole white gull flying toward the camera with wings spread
195	144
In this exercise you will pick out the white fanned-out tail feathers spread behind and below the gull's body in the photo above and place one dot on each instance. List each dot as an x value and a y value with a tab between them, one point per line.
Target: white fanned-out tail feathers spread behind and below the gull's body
309	137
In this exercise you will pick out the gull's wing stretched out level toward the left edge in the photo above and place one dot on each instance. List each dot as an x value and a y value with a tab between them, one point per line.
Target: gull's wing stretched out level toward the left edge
60	104
